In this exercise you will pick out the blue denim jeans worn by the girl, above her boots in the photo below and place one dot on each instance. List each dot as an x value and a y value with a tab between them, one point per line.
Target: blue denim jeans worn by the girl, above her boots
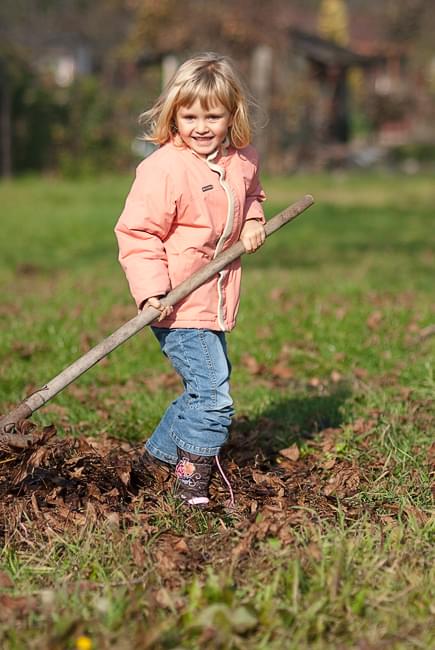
198	420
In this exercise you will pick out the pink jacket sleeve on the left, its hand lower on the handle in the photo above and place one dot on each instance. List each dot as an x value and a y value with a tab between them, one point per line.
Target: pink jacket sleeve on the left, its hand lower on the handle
141	230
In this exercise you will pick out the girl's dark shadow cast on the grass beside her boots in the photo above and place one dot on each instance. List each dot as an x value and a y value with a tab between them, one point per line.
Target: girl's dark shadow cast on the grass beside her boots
285	422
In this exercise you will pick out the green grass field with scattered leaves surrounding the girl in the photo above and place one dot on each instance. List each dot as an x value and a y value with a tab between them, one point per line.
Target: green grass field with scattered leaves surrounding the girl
333	360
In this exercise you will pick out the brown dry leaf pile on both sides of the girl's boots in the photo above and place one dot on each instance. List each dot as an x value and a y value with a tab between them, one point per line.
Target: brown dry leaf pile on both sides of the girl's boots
61	482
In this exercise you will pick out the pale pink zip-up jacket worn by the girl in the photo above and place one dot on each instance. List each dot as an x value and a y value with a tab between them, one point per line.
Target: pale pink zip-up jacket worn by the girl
181	211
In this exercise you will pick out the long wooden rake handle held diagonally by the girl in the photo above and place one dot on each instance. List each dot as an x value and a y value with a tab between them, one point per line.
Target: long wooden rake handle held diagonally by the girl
131	327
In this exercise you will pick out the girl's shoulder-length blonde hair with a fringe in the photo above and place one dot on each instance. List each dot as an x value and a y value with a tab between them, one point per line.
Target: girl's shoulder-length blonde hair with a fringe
207	77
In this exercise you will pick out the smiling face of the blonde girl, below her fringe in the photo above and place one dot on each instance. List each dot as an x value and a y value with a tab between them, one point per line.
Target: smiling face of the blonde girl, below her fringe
203	130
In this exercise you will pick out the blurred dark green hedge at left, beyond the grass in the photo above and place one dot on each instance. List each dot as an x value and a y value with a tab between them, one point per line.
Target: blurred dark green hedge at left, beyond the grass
86	127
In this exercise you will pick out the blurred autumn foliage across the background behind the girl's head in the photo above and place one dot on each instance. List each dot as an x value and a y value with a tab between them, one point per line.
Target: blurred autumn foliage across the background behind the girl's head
90	124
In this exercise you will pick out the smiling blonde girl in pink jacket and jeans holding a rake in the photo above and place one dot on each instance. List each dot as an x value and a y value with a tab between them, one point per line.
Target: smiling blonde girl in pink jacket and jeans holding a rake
196	195
